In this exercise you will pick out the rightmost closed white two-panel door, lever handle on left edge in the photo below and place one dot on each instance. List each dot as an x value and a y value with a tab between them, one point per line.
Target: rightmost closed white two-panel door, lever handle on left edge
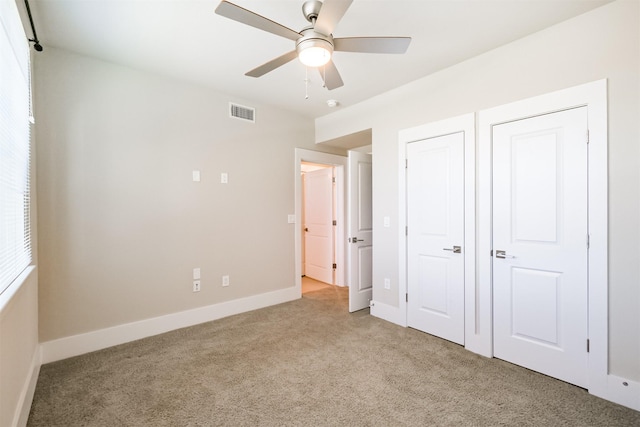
540	244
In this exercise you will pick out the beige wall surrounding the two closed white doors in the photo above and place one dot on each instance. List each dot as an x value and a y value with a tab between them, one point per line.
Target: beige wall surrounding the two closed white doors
604	43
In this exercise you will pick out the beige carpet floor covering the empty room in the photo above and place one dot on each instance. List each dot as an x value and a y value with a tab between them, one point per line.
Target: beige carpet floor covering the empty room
306	363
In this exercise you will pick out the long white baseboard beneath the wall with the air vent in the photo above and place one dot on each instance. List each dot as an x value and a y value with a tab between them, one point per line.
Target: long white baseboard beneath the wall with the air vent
76	345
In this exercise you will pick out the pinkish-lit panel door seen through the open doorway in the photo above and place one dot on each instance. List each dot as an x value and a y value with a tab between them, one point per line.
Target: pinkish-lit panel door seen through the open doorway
318	225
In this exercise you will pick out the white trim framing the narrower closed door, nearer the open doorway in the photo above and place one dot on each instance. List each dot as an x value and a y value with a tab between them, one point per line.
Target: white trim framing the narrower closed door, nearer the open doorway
466	124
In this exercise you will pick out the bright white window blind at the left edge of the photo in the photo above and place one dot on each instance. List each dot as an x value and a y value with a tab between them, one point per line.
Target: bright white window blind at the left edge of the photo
15	233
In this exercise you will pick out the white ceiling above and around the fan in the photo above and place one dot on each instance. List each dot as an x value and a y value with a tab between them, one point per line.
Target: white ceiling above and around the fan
187	40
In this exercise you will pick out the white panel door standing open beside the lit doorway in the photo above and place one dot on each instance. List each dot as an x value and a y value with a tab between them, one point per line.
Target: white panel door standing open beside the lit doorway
360	230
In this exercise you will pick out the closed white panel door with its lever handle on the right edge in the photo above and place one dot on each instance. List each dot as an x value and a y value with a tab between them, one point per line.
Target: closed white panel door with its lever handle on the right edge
435	218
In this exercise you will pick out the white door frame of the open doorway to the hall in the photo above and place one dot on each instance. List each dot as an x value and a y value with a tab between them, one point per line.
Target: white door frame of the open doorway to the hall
340	163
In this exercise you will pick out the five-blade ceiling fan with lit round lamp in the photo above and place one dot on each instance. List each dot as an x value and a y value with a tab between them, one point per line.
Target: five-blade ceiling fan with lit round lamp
315	43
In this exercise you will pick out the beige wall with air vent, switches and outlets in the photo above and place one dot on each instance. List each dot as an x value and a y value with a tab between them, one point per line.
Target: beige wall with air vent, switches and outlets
122	225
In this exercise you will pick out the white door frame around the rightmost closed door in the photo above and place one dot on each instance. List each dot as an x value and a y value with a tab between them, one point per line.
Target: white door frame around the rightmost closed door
594	96
